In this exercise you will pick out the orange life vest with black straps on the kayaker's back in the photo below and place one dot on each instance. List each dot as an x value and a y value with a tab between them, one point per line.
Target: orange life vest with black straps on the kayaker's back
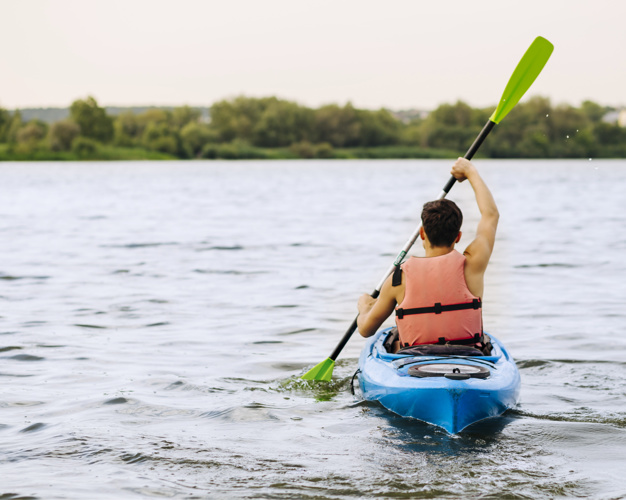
437	306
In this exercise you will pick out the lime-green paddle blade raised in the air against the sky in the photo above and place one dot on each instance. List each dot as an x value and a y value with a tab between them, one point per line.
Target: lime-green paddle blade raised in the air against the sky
523	77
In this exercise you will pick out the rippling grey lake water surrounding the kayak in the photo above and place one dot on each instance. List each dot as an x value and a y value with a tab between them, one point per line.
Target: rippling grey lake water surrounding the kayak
155	318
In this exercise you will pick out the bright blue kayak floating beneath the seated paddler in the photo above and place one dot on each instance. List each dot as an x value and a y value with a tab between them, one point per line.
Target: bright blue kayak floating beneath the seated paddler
449	391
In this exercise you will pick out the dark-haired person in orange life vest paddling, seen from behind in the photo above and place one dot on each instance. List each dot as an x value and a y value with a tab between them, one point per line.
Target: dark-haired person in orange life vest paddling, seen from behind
438	298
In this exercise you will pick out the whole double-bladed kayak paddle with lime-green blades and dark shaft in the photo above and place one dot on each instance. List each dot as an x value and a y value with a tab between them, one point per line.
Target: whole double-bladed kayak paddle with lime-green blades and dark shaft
525	73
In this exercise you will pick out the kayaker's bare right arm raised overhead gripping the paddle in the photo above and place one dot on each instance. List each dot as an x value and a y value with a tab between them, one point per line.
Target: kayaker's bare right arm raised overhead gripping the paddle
479	251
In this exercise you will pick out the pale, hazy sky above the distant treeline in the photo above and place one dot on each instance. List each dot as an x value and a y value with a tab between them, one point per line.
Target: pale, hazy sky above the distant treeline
397	54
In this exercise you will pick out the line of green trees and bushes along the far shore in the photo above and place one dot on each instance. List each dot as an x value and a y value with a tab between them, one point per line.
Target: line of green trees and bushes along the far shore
273	128
